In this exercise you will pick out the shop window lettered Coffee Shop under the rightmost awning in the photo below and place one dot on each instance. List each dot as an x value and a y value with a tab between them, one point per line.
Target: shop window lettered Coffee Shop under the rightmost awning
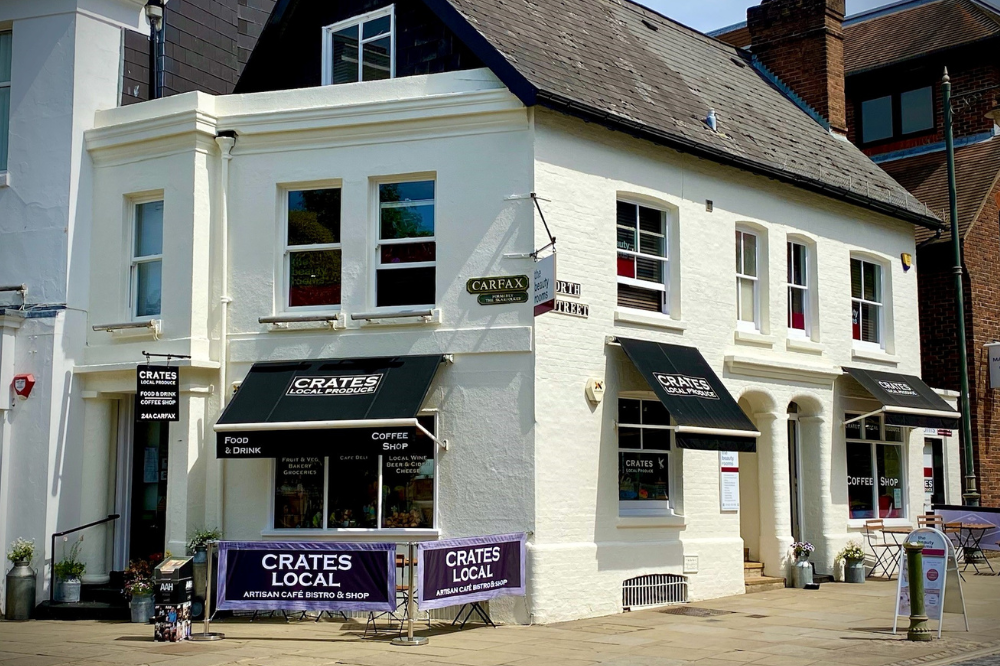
876	483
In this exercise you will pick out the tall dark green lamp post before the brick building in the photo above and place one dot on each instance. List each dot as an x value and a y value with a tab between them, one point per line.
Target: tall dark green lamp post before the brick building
971	494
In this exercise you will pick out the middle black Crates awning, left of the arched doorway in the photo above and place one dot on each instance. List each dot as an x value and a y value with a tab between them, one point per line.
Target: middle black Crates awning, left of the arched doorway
706	415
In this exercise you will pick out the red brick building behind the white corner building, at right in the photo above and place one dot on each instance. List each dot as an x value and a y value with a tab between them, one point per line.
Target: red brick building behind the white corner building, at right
886	66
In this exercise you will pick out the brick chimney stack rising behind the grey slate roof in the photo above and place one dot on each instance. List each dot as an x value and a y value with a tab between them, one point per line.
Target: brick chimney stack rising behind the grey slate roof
802	43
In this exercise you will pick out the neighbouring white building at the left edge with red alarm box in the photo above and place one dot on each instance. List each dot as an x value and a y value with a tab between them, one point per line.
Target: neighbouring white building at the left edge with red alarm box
60	63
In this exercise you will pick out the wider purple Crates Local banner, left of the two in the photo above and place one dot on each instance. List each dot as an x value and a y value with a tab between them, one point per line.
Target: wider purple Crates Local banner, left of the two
307	576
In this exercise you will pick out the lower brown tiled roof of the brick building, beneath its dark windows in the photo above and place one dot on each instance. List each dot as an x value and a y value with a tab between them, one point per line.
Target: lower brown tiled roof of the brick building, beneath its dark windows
976	171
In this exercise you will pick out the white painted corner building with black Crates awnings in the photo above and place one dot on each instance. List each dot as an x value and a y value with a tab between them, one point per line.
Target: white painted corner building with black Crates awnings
265	227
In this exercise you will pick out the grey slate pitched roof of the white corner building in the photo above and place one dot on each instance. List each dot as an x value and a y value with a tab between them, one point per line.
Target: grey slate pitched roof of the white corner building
621	64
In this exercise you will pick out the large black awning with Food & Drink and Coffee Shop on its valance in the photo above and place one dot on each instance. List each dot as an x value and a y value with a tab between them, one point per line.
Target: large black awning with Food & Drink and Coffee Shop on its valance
318	406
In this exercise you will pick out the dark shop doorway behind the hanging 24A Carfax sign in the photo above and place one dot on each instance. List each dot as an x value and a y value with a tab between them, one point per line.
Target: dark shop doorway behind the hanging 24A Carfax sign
141	489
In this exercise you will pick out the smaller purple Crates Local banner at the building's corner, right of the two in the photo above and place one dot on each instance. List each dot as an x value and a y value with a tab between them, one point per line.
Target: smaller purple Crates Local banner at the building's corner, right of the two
461	571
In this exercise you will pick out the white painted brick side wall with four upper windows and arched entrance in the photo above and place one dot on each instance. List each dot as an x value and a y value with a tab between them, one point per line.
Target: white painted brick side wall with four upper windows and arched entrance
583	550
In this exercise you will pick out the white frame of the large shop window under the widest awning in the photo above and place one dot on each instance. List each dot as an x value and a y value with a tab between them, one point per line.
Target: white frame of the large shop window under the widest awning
310	533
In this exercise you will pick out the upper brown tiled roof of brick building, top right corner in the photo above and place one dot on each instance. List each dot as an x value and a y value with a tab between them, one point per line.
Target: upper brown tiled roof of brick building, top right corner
915	30
